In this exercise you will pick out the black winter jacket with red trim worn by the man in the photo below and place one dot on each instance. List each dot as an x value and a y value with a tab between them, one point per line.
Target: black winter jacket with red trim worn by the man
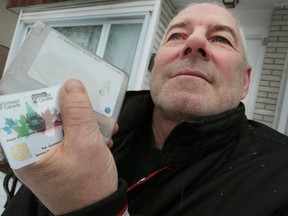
222	165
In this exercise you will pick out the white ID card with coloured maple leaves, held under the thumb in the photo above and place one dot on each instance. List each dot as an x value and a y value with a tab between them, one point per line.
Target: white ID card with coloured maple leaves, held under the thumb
30	124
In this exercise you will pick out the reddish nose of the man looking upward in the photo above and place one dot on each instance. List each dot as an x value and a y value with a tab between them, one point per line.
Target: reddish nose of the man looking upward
196	44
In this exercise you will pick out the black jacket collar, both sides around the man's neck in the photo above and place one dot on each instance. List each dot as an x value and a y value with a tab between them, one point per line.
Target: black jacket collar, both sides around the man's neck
190	140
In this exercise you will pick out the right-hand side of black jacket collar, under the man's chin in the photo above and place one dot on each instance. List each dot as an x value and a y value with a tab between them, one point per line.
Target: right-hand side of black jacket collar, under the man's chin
192	140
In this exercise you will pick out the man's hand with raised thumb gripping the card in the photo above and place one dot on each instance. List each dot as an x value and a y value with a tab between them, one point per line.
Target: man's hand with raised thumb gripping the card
80	170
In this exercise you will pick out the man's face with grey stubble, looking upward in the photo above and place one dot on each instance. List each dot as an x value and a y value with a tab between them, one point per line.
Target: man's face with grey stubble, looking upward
199	68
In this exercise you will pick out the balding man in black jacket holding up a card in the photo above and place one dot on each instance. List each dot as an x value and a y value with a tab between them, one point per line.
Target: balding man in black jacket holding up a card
186	150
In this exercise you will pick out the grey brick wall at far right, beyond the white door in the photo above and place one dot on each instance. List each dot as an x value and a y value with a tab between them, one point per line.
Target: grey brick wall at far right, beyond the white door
269	92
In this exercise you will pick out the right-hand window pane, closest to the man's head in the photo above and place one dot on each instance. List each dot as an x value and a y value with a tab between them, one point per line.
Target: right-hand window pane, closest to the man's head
122	44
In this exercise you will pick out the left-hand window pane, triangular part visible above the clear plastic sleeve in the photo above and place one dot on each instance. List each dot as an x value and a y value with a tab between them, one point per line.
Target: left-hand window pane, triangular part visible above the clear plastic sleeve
85	36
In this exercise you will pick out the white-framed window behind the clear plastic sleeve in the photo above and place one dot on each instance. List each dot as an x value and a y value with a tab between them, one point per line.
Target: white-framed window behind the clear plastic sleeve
117	38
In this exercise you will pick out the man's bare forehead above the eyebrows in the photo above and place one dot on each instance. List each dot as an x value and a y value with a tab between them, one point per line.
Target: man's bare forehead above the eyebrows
207	15
